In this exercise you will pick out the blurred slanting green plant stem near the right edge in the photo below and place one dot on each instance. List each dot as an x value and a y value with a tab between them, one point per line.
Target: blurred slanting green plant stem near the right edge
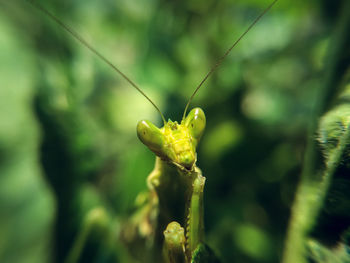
312	187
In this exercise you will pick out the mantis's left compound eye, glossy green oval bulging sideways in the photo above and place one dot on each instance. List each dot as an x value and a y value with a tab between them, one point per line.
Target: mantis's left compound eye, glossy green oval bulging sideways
150	135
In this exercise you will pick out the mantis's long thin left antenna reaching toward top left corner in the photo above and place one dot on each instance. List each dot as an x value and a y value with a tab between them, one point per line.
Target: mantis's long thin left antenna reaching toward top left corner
93	50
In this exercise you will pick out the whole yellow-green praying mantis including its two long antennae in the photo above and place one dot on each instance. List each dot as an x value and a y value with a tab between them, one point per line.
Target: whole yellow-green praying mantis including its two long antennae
174	209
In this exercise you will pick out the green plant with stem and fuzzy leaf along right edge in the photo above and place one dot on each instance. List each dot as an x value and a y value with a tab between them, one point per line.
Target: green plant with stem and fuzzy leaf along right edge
322	200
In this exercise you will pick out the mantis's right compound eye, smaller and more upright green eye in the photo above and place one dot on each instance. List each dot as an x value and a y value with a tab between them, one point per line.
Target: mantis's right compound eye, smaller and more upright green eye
195	121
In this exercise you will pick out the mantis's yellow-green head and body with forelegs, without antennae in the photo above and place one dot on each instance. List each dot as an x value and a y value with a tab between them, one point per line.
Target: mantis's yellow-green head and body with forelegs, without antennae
176	183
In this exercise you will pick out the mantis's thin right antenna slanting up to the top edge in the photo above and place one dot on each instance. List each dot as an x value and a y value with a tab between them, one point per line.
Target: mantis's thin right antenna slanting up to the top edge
220	60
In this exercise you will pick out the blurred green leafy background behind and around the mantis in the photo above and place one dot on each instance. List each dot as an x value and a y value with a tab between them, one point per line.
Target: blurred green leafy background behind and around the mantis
68	139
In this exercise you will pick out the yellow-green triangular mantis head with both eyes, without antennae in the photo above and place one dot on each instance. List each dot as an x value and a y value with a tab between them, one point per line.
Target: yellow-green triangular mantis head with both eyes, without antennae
175	143
